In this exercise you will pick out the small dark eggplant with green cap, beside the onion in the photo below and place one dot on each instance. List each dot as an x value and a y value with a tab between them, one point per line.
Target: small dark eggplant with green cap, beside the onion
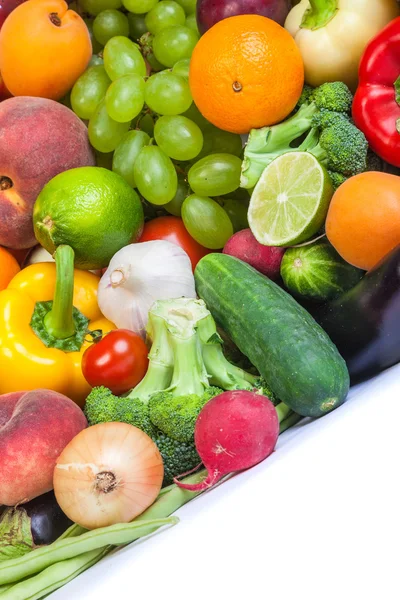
36	523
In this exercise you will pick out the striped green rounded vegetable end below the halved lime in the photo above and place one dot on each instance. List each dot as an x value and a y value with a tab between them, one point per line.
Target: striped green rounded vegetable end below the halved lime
317	272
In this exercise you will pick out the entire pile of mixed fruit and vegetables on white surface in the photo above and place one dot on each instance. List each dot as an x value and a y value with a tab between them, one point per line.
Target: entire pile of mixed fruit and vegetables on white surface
199	247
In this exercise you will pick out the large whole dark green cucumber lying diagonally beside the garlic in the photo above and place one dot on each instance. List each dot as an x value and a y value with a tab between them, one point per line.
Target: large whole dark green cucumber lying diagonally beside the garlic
290	350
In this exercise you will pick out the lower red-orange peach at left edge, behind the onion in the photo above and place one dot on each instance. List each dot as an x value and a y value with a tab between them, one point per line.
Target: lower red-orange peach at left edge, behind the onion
35	427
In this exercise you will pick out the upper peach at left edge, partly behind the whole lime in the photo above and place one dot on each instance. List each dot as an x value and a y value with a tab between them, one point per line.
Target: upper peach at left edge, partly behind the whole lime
39	138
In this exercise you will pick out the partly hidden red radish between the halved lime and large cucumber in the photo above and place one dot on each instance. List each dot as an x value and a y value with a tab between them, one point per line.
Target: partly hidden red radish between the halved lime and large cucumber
266	259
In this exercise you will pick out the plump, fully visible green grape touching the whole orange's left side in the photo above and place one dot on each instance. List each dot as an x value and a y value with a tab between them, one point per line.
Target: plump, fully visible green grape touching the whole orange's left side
167	93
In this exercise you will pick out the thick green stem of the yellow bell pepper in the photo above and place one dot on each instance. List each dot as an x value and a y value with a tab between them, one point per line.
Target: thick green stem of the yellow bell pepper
59	322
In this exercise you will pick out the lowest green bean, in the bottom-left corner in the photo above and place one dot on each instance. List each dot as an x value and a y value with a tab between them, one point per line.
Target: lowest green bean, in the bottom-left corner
53	577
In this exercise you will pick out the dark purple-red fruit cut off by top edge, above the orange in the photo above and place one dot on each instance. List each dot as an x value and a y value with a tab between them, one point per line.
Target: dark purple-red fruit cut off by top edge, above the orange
210	12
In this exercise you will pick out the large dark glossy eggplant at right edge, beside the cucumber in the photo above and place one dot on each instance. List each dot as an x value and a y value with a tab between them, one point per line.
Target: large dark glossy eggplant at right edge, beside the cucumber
364	323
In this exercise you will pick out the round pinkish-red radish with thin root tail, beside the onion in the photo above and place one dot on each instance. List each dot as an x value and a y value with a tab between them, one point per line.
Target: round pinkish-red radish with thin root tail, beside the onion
234	431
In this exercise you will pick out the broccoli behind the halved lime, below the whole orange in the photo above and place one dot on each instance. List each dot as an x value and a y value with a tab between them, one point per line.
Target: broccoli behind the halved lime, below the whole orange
321	126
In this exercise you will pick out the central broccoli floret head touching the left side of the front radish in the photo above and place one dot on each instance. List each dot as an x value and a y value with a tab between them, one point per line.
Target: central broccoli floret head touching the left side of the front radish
176	415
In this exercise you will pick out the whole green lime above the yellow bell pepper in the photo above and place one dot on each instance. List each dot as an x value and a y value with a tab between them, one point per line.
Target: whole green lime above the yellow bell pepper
91	209
